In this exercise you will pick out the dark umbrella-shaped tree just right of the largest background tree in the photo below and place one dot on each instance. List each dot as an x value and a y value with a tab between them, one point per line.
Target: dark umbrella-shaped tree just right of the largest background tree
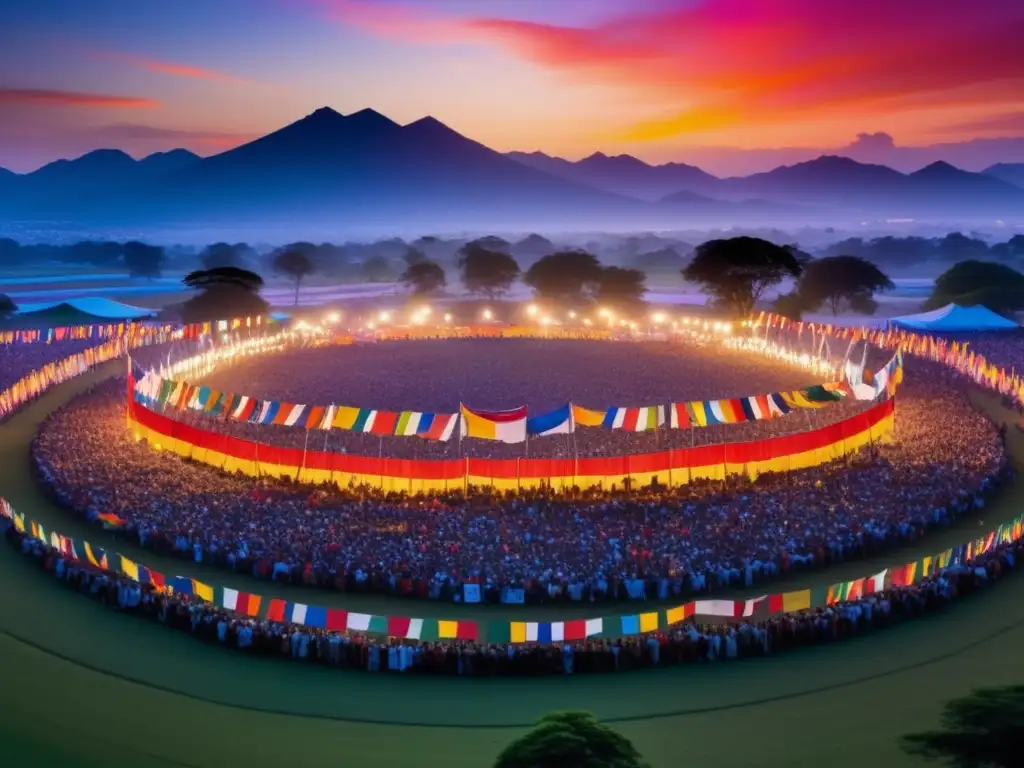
842	280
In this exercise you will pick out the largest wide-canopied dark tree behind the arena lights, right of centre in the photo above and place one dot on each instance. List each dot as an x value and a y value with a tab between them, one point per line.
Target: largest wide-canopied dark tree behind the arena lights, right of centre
737	272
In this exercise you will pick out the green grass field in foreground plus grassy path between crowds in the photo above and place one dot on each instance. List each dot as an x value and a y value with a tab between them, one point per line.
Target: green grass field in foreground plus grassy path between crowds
83	686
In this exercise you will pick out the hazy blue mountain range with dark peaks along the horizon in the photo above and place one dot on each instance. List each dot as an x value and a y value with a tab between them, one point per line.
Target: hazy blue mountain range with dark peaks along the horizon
364	170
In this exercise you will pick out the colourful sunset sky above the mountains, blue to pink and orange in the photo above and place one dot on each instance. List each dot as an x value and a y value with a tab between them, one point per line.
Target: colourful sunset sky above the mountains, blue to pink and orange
662	79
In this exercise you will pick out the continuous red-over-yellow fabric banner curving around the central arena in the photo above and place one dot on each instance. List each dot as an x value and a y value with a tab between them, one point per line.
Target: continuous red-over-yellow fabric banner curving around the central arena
671	467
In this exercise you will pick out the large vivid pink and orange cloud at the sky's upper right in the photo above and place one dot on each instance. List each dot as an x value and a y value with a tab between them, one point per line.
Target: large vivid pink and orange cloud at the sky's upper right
735	63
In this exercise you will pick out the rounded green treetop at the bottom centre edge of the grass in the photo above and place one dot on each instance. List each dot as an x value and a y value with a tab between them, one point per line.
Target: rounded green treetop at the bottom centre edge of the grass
571	739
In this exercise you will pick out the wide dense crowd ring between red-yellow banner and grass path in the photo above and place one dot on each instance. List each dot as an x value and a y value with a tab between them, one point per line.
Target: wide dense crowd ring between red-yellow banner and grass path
581	544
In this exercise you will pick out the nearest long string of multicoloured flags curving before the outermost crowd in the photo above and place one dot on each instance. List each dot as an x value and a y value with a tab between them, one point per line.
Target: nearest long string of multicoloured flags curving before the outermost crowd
338	620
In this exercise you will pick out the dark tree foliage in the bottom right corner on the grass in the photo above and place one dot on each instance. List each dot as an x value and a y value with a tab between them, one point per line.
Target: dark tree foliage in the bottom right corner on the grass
985	730
